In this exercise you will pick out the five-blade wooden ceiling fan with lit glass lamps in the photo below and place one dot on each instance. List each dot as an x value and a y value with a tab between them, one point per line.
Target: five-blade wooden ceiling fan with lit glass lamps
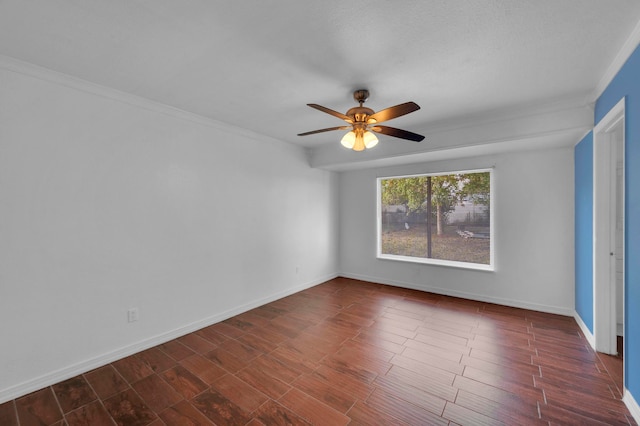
363	121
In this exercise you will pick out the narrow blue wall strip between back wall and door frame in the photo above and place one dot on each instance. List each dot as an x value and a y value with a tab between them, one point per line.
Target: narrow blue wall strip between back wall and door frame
583	159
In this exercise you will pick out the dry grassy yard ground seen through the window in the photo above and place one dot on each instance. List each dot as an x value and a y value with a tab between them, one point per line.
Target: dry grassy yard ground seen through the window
449	246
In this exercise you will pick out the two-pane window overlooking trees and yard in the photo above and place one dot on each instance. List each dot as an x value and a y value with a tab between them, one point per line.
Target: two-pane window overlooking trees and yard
442	219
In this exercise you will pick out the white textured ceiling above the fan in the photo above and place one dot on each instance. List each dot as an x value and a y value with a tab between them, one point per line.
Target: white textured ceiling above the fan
256	63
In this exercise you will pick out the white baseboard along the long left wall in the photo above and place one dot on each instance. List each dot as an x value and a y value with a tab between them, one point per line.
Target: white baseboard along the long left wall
70	371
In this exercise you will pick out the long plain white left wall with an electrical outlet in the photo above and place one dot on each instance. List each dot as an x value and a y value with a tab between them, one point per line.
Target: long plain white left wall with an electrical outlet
109	202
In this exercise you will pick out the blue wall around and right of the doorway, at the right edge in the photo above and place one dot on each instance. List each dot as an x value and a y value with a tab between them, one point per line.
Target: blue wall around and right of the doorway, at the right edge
627	83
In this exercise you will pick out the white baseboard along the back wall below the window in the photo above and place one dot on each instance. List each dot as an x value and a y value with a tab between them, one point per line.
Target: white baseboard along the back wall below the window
463	295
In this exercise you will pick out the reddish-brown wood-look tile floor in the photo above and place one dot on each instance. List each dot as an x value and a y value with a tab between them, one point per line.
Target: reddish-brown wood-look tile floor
348	352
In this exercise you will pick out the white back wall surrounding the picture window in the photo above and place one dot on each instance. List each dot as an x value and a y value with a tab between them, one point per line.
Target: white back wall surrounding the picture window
533	246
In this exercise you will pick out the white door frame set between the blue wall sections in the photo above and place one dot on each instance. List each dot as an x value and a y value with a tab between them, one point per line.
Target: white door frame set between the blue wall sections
604	228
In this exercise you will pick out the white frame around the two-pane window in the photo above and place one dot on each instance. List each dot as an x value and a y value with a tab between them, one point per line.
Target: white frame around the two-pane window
438	262
